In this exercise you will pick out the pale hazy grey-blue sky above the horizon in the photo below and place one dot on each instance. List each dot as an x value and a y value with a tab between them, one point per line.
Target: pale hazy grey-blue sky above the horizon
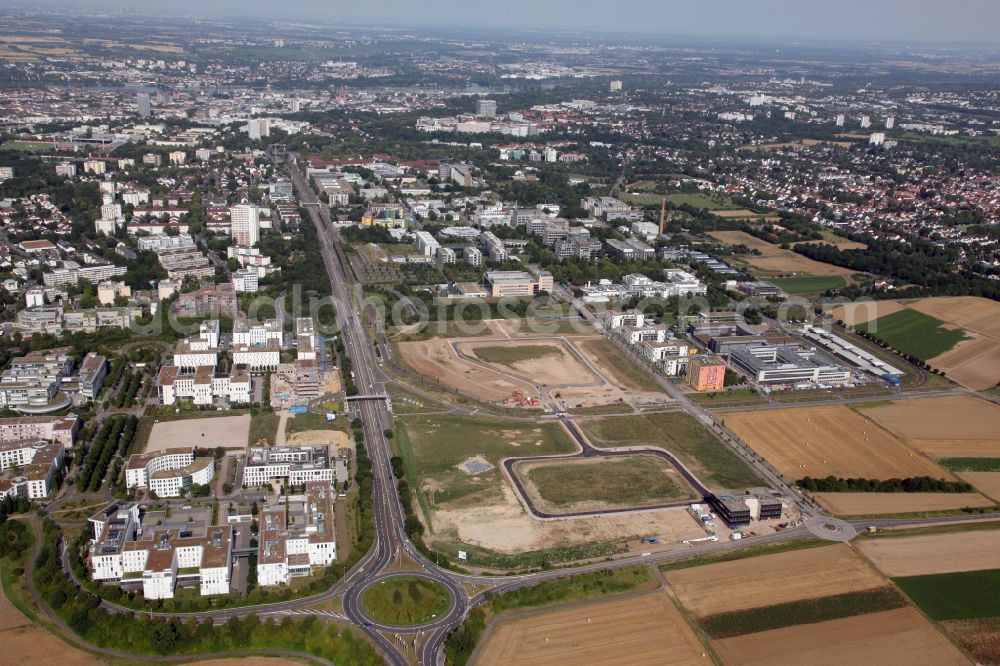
912	21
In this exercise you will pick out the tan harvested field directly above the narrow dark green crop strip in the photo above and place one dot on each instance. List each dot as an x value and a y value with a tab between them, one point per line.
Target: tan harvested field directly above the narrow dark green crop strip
802	574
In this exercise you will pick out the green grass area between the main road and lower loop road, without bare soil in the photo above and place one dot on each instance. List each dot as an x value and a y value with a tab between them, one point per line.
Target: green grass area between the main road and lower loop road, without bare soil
432	448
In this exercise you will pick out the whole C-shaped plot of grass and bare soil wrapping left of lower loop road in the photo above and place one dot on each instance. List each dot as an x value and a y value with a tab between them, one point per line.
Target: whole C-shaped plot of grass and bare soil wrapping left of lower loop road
482	513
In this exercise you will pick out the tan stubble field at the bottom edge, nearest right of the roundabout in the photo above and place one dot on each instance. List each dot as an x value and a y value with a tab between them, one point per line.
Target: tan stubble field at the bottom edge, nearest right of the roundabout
641	630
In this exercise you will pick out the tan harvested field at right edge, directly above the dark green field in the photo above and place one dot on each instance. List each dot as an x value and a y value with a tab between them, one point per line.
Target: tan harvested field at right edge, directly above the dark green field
933	553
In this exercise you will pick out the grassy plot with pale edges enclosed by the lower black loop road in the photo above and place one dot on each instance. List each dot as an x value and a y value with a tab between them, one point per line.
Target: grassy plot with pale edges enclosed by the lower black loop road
594	484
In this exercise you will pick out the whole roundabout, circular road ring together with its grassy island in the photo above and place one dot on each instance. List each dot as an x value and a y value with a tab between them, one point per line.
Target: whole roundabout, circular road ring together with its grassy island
406	602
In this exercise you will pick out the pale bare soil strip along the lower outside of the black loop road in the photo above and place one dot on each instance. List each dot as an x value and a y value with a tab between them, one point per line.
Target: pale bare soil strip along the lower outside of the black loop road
505	527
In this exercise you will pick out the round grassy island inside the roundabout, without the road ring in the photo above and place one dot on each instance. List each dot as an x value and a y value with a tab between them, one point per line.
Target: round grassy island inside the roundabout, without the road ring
406	600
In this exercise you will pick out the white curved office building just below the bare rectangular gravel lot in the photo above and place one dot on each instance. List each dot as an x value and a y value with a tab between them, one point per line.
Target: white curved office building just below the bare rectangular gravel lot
168	473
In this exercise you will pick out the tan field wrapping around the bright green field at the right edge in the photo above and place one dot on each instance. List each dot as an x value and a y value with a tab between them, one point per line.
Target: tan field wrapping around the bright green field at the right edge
974	360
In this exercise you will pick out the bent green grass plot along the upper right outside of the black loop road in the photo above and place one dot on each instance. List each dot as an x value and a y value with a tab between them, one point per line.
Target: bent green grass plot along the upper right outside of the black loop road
682	435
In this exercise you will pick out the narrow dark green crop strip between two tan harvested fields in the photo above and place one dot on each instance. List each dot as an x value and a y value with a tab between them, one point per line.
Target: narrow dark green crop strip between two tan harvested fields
804	611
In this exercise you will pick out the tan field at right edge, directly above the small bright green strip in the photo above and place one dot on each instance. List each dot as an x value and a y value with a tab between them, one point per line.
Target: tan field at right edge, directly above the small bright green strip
943	427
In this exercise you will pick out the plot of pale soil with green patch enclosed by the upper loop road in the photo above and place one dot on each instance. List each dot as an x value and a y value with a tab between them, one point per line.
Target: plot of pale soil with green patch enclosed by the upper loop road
546	364
